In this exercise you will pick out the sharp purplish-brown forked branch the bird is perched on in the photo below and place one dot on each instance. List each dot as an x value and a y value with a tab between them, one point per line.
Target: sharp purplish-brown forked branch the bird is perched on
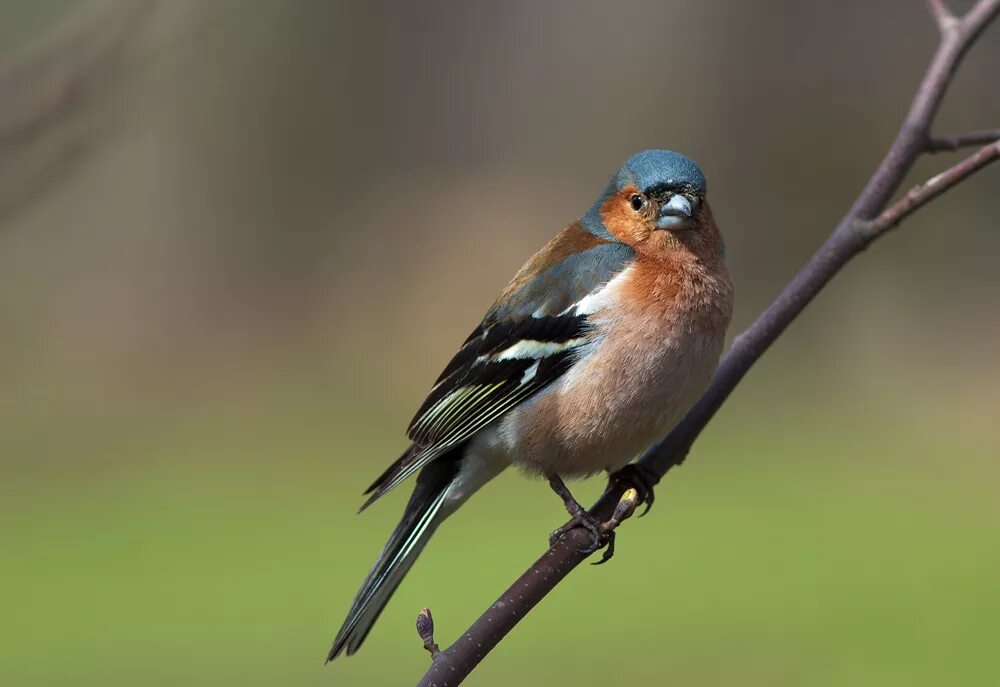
866	220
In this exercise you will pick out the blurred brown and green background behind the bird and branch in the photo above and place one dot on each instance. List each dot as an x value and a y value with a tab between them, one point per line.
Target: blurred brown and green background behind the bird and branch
238	241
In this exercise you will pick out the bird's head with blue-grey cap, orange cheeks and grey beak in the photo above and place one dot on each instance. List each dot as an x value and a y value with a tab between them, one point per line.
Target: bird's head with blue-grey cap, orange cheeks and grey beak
656	204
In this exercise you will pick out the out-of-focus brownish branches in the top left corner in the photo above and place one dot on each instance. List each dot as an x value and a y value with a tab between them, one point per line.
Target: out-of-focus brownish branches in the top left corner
47	98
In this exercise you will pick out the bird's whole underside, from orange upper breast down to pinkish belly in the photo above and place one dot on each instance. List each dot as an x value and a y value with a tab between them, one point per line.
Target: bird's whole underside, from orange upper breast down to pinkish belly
657	342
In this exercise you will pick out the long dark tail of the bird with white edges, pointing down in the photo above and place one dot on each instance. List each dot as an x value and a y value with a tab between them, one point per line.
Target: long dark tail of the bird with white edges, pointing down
435	496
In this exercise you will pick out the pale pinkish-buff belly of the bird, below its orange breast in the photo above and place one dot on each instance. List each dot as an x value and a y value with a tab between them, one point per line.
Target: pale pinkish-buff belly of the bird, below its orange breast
627	392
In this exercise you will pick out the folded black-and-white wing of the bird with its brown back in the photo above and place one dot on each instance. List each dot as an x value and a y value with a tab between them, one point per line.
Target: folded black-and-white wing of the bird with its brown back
530	337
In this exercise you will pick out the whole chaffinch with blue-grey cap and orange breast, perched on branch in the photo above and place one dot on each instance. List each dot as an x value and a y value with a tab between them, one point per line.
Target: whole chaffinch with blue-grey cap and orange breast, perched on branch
596	349
